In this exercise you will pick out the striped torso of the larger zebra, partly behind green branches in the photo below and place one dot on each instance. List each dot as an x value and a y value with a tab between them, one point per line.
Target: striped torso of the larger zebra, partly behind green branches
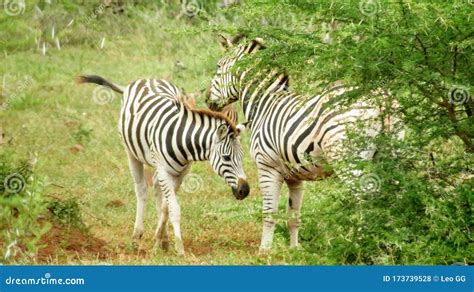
294	133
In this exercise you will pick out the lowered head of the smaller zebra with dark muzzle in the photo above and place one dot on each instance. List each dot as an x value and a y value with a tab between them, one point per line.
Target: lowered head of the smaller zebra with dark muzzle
226	157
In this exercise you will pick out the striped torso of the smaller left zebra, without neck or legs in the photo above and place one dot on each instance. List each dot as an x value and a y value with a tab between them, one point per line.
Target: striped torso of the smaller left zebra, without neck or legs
143	115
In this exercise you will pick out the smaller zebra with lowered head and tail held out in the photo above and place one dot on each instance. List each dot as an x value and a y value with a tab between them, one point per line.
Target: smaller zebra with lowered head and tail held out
158	129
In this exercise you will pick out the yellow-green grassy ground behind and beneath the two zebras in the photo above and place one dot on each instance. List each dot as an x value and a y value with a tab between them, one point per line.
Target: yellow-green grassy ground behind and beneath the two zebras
48	115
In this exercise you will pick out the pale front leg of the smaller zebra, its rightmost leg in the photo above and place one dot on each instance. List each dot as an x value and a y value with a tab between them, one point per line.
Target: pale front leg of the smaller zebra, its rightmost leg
168	185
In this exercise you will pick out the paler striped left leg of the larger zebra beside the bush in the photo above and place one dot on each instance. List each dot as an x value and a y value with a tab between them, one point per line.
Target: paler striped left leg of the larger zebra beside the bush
270	183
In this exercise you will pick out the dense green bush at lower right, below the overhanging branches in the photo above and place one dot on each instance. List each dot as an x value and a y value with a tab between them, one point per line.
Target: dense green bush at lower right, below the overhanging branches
413	212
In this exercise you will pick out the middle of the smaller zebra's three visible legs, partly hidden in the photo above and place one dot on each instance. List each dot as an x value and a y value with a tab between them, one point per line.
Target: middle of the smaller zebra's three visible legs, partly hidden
161	234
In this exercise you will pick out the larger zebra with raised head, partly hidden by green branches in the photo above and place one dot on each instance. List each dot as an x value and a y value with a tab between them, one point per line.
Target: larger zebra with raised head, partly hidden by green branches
293	137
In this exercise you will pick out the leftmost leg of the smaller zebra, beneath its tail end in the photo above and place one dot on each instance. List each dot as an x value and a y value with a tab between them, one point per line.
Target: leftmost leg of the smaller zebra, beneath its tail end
136	169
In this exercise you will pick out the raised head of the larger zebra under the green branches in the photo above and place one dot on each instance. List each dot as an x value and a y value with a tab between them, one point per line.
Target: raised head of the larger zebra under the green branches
224	87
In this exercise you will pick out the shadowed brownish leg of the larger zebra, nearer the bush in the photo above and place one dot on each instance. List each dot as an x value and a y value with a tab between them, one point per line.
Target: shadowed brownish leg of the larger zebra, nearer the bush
295	189
